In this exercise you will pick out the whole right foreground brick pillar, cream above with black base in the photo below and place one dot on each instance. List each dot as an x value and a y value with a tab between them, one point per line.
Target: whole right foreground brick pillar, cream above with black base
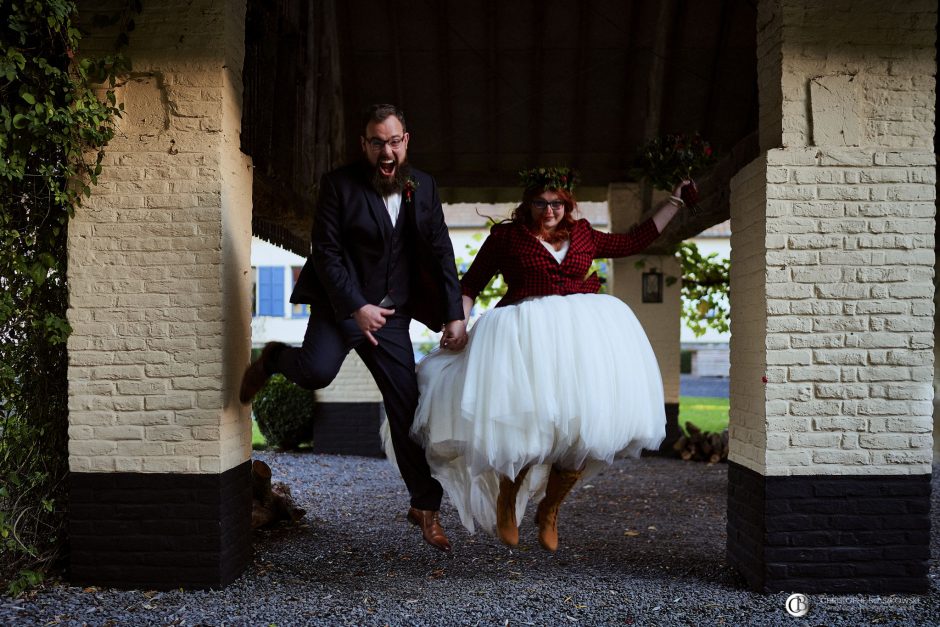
832	297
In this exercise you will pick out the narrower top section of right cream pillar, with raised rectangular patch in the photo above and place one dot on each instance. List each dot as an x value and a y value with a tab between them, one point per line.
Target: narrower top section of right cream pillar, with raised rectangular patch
863	66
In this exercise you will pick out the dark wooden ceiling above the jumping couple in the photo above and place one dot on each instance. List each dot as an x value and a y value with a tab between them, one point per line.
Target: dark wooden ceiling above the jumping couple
489	87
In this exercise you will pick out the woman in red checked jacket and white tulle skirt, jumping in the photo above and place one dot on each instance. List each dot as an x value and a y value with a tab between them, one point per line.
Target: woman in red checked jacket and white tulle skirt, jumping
555	382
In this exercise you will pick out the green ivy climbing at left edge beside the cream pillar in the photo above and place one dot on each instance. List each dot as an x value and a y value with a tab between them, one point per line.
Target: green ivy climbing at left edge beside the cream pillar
52	130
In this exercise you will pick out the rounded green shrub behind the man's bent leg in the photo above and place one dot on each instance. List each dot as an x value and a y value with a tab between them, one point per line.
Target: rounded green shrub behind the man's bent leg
285	413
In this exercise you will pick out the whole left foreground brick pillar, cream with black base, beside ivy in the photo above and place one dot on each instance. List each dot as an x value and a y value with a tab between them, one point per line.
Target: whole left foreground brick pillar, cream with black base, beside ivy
160	304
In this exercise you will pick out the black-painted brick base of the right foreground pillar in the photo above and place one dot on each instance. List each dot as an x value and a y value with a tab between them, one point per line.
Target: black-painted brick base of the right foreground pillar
840	534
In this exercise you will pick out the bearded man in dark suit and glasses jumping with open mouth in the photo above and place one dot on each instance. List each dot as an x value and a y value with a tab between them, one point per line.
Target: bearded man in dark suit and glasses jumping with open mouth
381	255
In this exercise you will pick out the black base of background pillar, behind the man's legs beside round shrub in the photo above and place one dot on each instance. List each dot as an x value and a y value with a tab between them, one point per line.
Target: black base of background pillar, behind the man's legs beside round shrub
348	429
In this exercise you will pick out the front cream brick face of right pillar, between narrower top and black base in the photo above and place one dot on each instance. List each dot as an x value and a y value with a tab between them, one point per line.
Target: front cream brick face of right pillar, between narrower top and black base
850	310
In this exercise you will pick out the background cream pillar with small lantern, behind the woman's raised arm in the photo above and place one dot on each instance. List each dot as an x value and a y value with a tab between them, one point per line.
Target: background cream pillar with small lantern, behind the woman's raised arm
660	320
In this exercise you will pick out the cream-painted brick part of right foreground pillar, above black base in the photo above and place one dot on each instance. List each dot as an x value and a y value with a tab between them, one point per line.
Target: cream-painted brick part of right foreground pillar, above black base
832	244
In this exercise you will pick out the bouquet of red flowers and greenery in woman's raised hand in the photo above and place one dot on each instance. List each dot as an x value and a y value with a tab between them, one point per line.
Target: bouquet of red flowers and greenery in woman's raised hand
668	159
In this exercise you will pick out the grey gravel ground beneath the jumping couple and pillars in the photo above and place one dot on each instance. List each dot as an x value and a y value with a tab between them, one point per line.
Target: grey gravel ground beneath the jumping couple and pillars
641	544
